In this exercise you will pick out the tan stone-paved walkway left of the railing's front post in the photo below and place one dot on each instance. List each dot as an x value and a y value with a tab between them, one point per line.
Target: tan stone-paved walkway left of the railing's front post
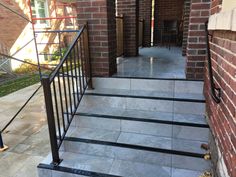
27	137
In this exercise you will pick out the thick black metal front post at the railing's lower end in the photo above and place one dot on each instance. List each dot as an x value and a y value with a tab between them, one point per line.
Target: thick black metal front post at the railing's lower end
51	121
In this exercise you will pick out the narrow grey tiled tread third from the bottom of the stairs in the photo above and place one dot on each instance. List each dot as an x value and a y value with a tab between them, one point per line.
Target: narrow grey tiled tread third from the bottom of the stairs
130	114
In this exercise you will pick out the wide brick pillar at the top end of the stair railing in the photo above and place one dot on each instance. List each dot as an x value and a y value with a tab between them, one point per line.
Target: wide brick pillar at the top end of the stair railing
100	15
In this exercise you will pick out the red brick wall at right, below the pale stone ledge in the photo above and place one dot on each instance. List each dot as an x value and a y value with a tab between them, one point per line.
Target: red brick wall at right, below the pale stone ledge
222	116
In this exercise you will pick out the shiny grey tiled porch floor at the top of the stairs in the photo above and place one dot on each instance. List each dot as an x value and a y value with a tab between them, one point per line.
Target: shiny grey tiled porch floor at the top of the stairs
153	62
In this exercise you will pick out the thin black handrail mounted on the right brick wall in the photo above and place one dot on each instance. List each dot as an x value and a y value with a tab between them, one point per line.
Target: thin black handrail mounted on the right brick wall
215	96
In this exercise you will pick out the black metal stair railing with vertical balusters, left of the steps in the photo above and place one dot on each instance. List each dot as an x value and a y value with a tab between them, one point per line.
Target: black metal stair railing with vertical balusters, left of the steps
64	89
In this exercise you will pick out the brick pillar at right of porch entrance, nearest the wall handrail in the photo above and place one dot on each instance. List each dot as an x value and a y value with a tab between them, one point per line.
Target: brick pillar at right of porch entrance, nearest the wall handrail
196	47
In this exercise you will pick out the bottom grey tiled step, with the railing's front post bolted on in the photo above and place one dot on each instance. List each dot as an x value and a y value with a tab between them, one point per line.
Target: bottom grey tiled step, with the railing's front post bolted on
82	165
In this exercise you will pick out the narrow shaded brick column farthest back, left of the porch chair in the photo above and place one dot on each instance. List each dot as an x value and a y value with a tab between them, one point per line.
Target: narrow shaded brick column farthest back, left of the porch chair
145	12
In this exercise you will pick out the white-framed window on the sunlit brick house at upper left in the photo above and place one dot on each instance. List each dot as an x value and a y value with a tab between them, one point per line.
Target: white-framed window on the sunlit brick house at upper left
40	10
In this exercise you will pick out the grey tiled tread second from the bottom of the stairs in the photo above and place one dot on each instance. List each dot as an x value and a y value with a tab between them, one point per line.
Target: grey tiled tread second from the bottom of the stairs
166	137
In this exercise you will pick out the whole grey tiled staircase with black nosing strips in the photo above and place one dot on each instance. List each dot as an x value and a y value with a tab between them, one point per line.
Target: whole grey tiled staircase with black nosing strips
135	128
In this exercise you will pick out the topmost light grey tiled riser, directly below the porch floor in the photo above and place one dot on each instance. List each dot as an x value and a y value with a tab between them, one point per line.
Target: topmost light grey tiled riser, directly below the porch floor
176	86
